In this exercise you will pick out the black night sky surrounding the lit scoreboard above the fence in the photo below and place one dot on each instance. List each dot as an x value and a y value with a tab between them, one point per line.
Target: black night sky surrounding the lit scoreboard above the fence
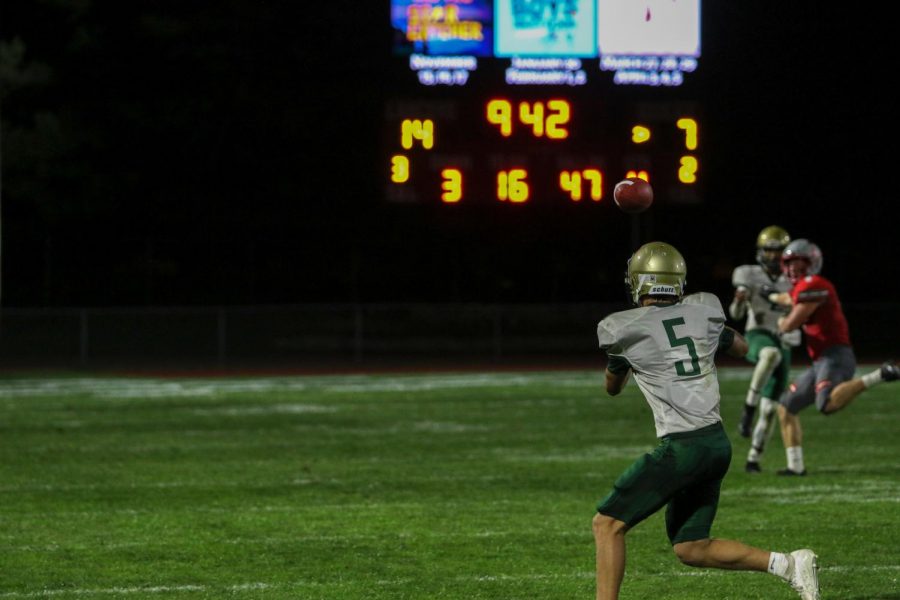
228	153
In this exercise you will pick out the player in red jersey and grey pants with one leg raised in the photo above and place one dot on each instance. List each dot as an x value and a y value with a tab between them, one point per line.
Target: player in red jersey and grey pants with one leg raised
830	382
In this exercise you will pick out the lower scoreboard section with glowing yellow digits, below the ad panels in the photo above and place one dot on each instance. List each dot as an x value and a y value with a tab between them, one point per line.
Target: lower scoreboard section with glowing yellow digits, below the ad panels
509	154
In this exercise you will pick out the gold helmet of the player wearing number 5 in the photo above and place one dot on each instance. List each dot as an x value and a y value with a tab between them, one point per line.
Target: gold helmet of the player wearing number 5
656	268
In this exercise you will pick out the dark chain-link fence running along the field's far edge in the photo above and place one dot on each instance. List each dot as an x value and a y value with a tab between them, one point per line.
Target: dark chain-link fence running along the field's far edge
311	334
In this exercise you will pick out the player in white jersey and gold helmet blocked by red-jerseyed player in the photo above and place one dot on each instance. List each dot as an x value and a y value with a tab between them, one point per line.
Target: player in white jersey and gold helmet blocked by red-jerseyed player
768	350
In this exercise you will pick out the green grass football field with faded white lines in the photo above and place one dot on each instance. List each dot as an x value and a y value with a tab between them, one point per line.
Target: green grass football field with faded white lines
457	486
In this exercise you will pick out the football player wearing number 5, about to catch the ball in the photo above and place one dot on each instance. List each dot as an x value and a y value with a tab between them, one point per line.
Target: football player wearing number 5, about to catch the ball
669	342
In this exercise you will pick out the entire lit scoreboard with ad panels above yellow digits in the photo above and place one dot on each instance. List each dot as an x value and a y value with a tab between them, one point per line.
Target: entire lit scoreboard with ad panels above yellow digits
529	102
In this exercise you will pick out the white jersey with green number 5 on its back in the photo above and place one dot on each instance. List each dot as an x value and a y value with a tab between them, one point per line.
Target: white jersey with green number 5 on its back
671	350
